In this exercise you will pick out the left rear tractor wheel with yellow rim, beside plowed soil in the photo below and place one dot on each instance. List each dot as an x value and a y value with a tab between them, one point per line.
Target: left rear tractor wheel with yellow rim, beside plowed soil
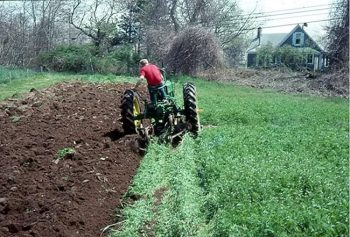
130	108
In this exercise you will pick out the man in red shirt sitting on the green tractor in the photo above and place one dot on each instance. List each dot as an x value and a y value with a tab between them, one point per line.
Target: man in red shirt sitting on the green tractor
154	78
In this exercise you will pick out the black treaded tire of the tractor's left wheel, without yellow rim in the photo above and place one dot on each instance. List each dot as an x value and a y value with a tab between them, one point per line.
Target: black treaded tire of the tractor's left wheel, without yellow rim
127	112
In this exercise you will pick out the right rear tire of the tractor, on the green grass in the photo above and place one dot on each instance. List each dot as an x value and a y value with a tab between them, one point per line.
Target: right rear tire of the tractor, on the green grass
191	108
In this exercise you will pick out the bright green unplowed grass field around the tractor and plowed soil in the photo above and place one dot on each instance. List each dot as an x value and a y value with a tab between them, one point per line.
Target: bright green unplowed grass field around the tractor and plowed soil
265	164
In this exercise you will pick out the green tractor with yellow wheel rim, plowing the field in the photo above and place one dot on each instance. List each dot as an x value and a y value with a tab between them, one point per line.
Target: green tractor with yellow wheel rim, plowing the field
164	119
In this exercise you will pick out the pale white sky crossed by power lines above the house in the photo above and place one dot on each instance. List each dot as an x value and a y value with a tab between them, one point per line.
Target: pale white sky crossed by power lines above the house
283	12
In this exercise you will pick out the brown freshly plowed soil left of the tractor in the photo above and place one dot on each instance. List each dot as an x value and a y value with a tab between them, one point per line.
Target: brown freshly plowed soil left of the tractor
44	195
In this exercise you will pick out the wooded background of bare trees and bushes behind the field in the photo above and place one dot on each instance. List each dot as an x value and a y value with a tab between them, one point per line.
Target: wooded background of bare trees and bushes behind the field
112	35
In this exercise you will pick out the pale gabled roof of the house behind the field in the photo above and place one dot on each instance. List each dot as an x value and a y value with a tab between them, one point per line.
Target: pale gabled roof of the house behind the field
275	39
